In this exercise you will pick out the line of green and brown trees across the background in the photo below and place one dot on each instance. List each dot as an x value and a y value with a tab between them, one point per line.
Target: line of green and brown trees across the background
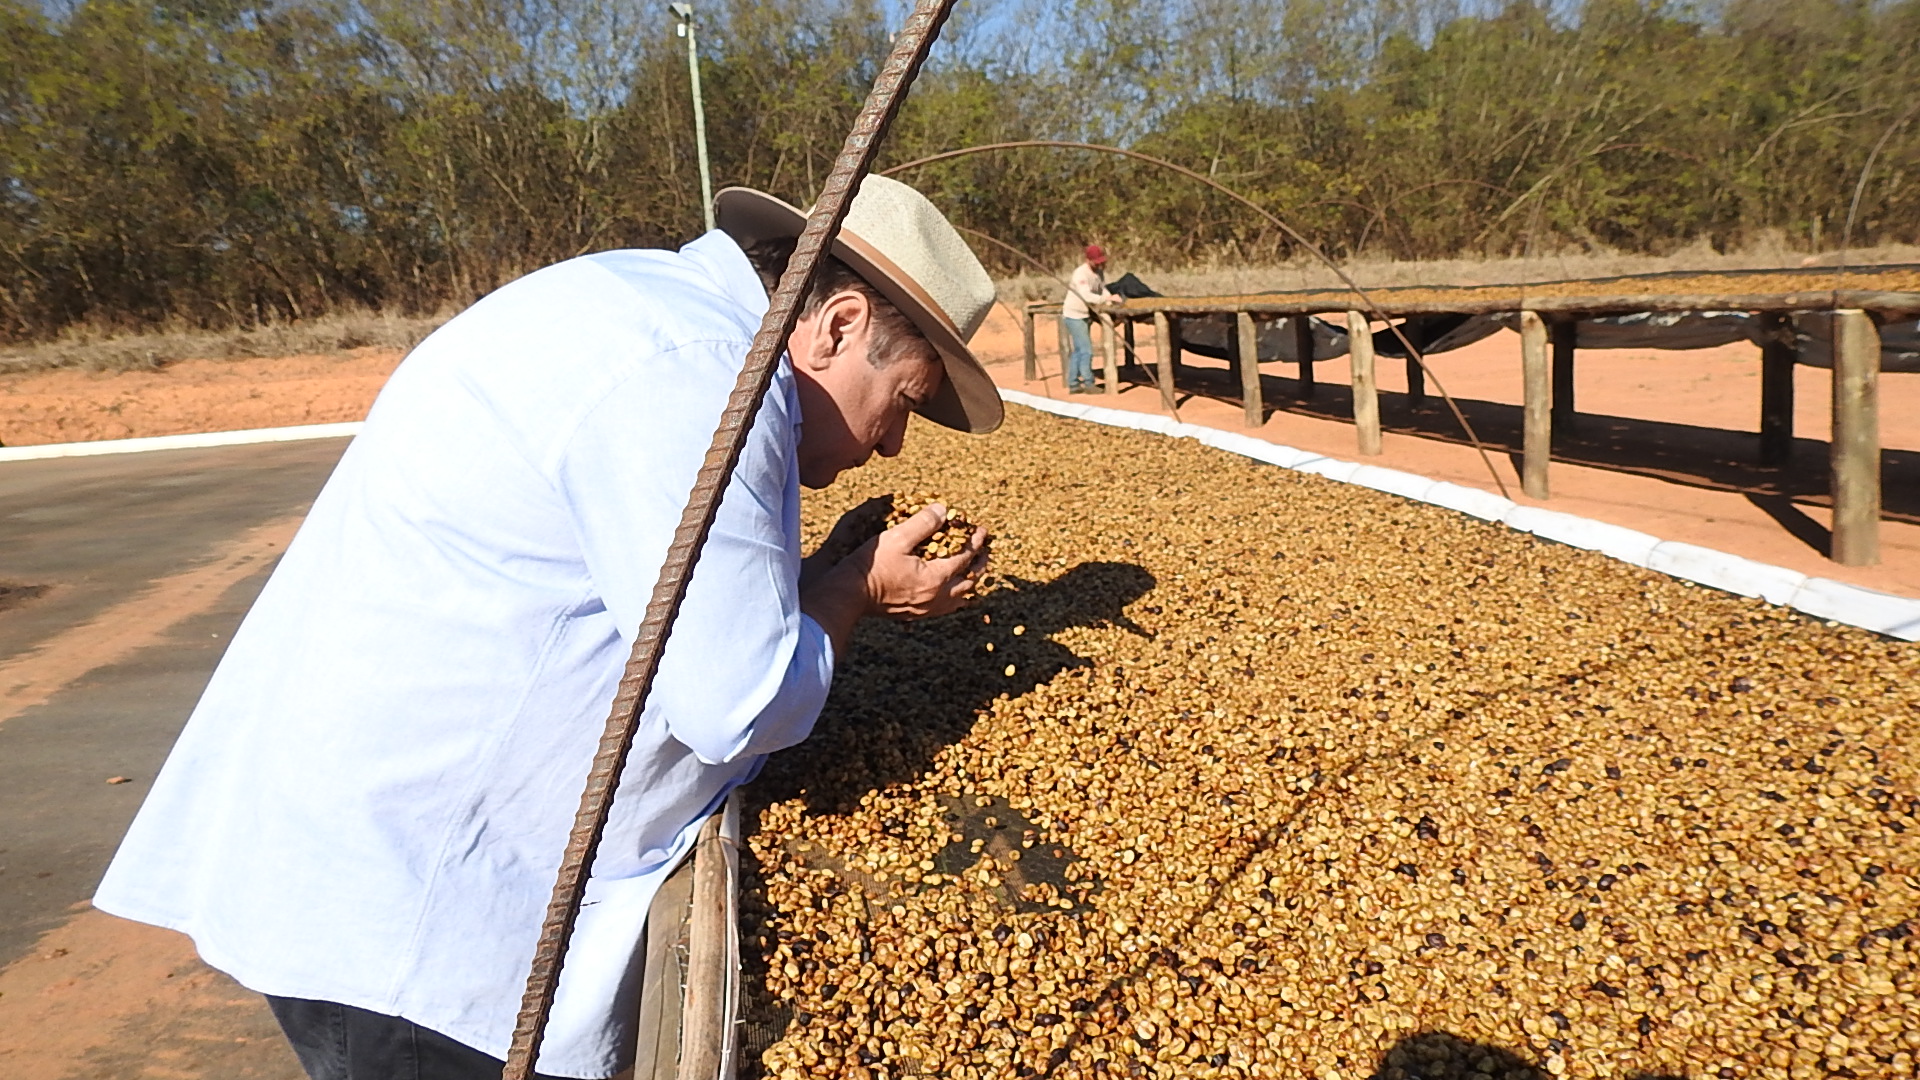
243	162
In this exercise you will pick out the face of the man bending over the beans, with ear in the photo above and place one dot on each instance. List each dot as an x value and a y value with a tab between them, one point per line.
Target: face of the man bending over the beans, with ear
852	408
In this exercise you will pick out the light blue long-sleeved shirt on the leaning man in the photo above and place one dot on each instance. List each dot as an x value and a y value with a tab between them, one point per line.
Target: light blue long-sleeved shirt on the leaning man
372	800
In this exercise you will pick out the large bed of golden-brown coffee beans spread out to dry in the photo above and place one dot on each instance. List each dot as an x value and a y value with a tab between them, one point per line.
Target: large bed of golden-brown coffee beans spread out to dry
1236	772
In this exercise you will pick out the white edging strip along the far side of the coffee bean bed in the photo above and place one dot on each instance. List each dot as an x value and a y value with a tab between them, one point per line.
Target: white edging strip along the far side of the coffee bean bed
1823	599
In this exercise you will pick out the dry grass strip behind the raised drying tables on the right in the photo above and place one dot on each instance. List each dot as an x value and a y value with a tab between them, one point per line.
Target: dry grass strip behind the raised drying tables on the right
1243	280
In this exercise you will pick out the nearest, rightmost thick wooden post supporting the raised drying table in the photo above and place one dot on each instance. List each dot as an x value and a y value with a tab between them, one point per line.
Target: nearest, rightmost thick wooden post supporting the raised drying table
1856	449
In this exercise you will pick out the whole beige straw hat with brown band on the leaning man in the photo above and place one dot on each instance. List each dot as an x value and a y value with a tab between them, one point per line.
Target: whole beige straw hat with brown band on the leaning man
905	249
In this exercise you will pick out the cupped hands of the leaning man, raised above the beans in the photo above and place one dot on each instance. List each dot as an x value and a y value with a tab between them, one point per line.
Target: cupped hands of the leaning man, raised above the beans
886	577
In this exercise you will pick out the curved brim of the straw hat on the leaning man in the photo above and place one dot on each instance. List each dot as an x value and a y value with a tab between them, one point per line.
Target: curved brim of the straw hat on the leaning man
967	401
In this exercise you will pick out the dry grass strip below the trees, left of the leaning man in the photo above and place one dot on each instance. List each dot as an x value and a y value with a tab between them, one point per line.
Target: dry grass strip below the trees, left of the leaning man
95	351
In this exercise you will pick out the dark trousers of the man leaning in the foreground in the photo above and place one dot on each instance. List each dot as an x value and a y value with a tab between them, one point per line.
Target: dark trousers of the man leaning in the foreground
341	1043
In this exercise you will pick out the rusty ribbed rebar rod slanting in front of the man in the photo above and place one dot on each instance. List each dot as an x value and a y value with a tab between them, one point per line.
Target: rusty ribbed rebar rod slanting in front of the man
857	157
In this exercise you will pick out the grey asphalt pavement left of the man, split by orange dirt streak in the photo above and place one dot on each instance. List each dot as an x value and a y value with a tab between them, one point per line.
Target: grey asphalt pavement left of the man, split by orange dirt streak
97	531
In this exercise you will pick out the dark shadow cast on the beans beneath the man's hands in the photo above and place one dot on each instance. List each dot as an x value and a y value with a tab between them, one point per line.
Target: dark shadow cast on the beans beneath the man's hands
909	691
